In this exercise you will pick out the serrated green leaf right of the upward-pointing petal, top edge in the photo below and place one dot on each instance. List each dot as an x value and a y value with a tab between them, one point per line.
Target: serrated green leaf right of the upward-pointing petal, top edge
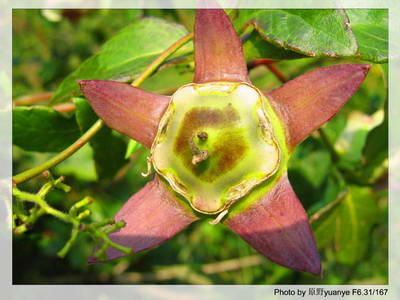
317	32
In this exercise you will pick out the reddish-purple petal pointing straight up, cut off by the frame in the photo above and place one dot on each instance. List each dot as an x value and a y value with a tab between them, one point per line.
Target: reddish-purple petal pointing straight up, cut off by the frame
217	48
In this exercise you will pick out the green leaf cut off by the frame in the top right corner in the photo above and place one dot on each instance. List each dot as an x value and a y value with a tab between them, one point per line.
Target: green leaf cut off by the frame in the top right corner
370	27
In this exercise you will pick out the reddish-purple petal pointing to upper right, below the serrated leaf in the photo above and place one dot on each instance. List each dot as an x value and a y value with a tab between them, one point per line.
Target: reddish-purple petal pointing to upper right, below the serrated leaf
308	101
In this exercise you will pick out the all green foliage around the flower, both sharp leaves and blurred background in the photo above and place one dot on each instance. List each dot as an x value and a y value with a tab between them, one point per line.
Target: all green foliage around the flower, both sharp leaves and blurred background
345	192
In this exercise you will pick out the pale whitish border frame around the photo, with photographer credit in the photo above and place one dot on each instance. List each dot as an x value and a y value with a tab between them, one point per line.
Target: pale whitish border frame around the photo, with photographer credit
105	292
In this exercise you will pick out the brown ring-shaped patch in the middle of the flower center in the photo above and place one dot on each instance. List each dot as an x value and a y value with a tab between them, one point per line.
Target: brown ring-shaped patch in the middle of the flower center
224	154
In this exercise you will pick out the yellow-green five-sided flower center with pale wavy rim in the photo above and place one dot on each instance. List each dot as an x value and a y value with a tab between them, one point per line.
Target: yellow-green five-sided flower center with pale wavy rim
215	143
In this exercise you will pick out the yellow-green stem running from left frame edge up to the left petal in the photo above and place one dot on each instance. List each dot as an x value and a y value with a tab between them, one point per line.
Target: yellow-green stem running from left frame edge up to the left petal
24	176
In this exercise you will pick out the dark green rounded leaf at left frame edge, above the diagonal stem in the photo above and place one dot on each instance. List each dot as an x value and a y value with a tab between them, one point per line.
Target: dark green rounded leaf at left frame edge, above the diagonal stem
42	129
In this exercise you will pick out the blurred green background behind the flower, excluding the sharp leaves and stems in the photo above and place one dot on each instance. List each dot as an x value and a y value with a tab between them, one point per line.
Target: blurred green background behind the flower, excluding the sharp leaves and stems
339	174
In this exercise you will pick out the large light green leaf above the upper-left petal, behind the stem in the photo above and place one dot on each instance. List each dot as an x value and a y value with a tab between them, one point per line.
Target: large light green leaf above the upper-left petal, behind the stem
126	54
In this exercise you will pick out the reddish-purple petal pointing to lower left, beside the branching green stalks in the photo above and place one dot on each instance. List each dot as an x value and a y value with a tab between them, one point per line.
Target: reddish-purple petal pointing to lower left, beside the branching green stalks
152	216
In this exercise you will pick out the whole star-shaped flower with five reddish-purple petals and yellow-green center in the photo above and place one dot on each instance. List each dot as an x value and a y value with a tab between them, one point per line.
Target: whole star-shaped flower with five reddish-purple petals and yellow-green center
220	147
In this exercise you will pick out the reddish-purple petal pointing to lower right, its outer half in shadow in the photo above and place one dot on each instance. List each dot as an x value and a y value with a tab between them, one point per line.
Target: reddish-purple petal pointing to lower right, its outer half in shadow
277	226
